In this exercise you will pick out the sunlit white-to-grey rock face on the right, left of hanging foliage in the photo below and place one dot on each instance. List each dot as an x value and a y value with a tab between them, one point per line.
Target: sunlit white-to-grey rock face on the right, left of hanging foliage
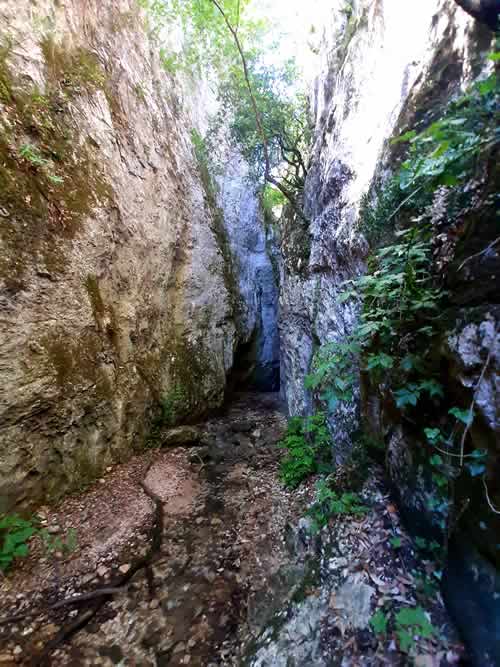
374	61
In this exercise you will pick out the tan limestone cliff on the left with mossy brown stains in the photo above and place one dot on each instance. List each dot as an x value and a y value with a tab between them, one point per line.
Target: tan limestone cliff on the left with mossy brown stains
117	291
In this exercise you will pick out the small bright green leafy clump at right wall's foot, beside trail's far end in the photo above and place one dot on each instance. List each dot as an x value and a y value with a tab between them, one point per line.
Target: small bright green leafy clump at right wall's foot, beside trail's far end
307	445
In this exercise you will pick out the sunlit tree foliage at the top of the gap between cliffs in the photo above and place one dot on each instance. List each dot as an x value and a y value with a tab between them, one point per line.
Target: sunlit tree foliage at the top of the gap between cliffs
260	104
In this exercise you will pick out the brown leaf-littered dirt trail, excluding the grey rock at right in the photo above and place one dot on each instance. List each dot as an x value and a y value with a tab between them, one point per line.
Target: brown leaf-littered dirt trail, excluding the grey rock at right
191	534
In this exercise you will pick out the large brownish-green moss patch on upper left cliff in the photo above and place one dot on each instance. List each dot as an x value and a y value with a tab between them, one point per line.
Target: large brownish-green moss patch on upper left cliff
50	176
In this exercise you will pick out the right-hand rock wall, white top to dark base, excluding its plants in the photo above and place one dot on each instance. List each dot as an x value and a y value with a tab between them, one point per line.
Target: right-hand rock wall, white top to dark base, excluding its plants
387	67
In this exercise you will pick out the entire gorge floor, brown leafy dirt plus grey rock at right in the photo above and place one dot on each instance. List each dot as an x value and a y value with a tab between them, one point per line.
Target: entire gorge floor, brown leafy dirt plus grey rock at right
194	553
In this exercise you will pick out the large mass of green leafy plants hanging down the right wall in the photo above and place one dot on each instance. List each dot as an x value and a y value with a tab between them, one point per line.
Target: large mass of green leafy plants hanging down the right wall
403	301
